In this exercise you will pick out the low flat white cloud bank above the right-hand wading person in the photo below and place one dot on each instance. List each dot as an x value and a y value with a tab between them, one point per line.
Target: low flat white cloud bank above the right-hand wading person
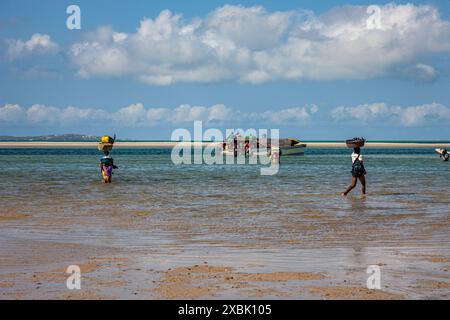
381	113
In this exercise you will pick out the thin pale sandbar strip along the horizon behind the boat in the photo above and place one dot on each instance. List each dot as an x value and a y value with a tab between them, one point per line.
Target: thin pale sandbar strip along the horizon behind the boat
170	144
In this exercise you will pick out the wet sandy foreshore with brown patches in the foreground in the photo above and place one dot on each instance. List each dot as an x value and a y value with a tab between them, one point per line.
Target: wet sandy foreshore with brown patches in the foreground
185	268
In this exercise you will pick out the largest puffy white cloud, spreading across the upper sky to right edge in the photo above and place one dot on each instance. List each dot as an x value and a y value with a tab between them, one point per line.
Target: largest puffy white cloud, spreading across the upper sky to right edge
253	45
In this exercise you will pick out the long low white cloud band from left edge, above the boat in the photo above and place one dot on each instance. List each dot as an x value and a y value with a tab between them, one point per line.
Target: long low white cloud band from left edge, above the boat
137	115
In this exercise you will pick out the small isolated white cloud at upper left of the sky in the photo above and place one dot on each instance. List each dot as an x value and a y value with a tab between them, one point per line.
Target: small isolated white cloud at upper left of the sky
37	44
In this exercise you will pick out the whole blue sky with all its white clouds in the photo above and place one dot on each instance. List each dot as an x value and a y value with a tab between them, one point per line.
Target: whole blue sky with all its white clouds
316	70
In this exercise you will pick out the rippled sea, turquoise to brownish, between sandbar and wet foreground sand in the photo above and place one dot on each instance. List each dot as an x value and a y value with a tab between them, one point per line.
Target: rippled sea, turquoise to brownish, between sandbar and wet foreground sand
234	202
